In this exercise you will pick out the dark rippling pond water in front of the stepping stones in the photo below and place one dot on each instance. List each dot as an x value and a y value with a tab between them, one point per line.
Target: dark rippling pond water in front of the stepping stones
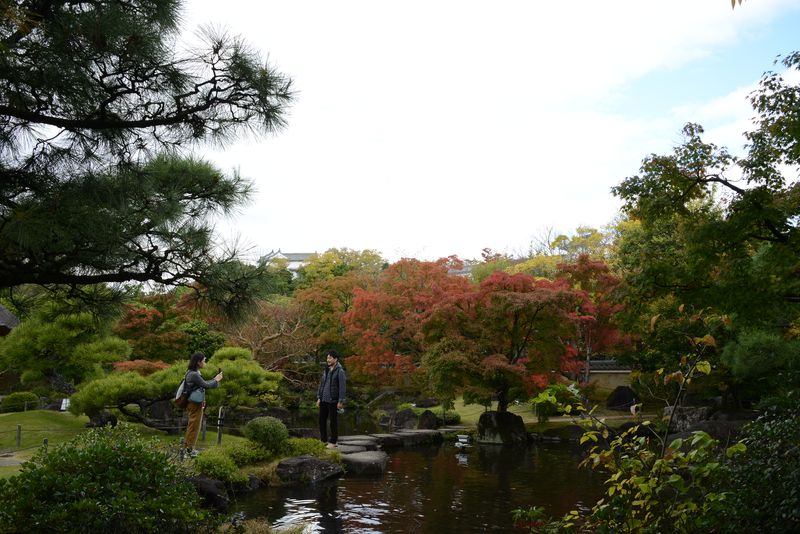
437	489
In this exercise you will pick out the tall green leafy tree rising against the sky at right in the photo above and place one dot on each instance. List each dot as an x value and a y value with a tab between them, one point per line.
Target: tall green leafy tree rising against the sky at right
703	237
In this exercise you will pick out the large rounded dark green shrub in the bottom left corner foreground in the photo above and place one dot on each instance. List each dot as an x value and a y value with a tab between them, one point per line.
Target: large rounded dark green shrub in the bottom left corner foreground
106	479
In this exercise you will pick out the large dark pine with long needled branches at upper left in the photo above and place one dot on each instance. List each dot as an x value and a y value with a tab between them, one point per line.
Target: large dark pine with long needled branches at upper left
100	108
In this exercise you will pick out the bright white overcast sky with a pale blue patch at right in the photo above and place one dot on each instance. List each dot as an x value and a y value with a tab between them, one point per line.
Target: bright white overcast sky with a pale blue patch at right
425	129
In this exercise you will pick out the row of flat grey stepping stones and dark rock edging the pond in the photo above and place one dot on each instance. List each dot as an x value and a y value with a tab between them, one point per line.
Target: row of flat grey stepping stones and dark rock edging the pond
362	455
